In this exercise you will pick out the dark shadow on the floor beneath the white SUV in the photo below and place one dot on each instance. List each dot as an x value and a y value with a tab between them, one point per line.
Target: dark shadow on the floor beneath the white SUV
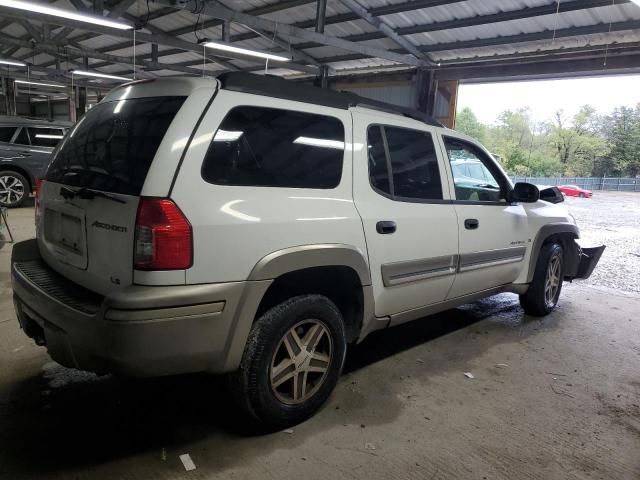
65	419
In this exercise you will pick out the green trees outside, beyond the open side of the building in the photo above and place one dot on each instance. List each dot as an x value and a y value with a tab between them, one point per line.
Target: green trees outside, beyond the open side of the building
586	144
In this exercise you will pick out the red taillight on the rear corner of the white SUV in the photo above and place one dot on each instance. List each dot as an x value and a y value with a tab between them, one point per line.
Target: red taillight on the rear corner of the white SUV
163	238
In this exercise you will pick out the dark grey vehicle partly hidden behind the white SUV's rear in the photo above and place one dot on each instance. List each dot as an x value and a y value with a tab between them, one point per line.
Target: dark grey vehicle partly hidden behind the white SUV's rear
25	147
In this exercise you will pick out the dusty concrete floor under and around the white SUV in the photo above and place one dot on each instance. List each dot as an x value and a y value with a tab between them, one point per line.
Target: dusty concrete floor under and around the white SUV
557	398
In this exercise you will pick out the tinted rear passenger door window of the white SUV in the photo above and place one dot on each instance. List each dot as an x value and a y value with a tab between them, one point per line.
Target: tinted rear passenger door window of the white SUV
412	159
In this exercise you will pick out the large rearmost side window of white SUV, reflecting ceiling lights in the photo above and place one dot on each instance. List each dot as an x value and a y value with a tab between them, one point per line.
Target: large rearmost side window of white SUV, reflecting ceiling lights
268	147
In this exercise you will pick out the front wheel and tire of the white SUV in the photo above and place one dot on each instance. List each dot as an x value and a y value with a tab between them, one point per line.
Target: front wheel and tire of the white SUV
543	293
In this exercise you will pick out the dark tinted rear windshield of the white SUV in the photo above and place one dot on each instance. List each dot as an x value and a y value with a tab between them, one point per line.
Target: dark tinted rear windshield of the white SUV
112	146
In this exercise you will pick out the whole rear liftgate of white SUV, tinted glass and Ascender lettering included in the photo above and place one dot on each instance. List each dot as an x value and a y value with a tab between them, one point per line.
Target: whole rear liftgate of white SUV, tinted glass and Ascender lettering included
90	196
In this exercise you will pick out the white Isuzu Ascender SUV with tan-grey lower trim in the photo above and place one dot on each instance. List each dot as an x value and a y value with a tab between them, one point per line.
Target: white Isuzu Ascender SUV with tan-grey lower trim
254	226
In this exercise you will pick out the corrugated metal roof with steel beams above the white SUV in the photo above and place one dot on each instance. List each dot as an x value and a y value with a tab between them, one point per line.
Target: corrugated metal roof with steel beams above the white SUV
425	46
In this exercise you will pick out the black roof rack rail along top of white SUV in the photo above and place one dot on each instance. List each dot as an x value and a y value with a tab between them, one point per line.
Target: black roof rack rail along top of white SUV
279	87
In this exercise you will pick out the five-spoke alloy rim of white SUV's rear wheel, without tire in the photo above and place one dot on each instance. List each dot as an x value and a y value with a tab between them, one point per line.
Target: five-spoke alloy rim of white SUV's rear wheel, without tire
301	361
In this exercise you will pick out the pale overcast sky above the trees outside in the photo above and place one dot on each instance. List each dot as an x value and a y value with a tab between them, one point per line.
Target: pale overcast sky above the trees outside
545	97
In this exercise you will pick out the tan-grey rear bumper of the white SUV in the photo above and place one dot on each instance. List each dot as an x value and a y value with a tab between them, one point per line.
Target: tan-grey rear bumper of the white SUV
135	331
